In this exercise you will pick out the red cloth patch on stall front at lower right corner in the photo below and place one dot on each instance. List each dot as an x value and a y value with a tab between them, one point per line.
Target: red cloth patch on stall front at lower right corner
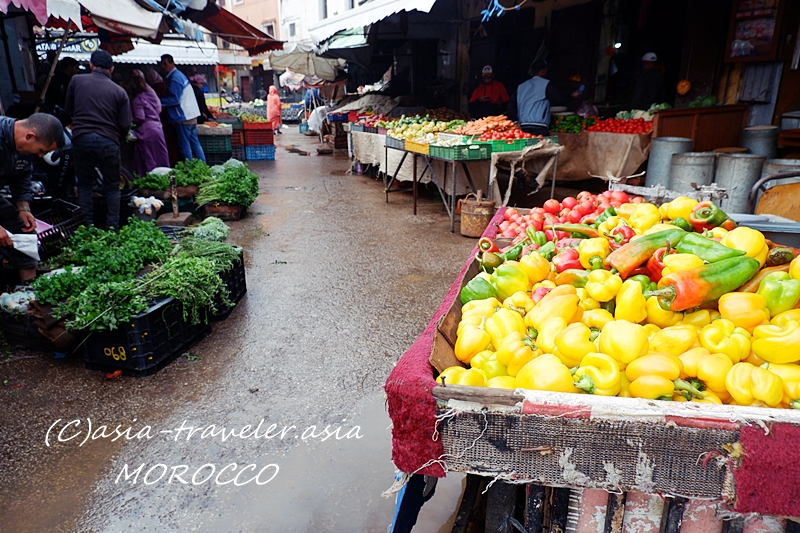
768	480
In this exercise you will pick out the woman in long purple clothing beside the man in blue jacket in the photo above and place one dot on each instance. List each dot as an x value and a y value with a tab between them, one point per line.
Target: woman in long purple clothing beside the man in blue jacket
150	150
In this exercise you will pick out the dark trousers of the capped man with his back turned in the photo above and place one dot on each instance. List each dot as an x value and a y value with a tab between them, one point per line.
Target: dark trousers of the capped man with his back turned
94	152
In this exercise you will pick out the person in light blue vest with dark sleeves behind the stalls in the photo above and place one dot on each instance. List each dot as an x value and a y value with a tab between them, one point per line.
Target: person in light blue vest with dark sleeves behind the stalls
530	103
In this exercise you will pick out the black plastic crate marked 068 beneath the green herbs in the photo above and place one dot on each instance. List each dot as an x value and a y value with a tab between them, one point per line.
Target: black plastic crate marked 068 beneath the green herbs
145	344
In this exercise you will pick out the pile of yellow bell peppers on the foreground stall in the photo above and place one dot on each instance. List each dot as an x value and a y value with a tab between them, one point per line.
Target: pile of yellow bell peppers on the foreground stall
606	332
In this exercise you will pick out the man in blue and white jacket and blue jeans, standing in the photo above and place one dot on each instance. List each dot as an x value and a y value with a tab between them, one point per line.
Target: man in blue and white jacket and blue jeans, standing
181	105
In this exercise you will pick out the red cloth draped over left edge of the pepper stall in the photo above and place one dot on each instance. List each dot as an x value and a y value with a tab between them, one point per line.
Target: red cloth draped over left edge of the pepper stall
409	387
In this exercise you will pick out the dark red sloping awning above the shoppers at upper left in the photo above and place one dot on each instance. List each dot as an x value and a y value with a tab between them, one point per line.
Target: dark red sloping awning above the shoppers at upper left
231	28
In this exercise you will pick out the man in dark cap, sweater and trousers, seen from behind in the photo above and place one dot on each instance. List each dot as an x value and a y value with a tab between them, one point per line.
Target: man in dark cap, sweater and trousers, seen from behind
101	118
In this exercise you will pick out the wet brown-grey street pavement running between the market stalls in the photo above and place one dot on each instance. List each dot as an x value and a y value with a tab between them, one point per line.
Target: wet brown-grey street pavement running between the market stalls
340	284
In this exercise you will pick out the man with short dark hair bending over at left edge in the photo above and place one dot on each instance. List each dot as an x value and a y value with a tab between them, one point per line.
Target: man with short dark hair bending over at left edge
34	136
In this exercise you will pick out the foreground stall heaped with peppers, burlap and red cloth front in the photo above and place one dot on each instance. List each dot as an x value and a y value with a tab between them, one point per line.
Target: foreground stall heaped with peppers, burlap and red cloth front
609	345
